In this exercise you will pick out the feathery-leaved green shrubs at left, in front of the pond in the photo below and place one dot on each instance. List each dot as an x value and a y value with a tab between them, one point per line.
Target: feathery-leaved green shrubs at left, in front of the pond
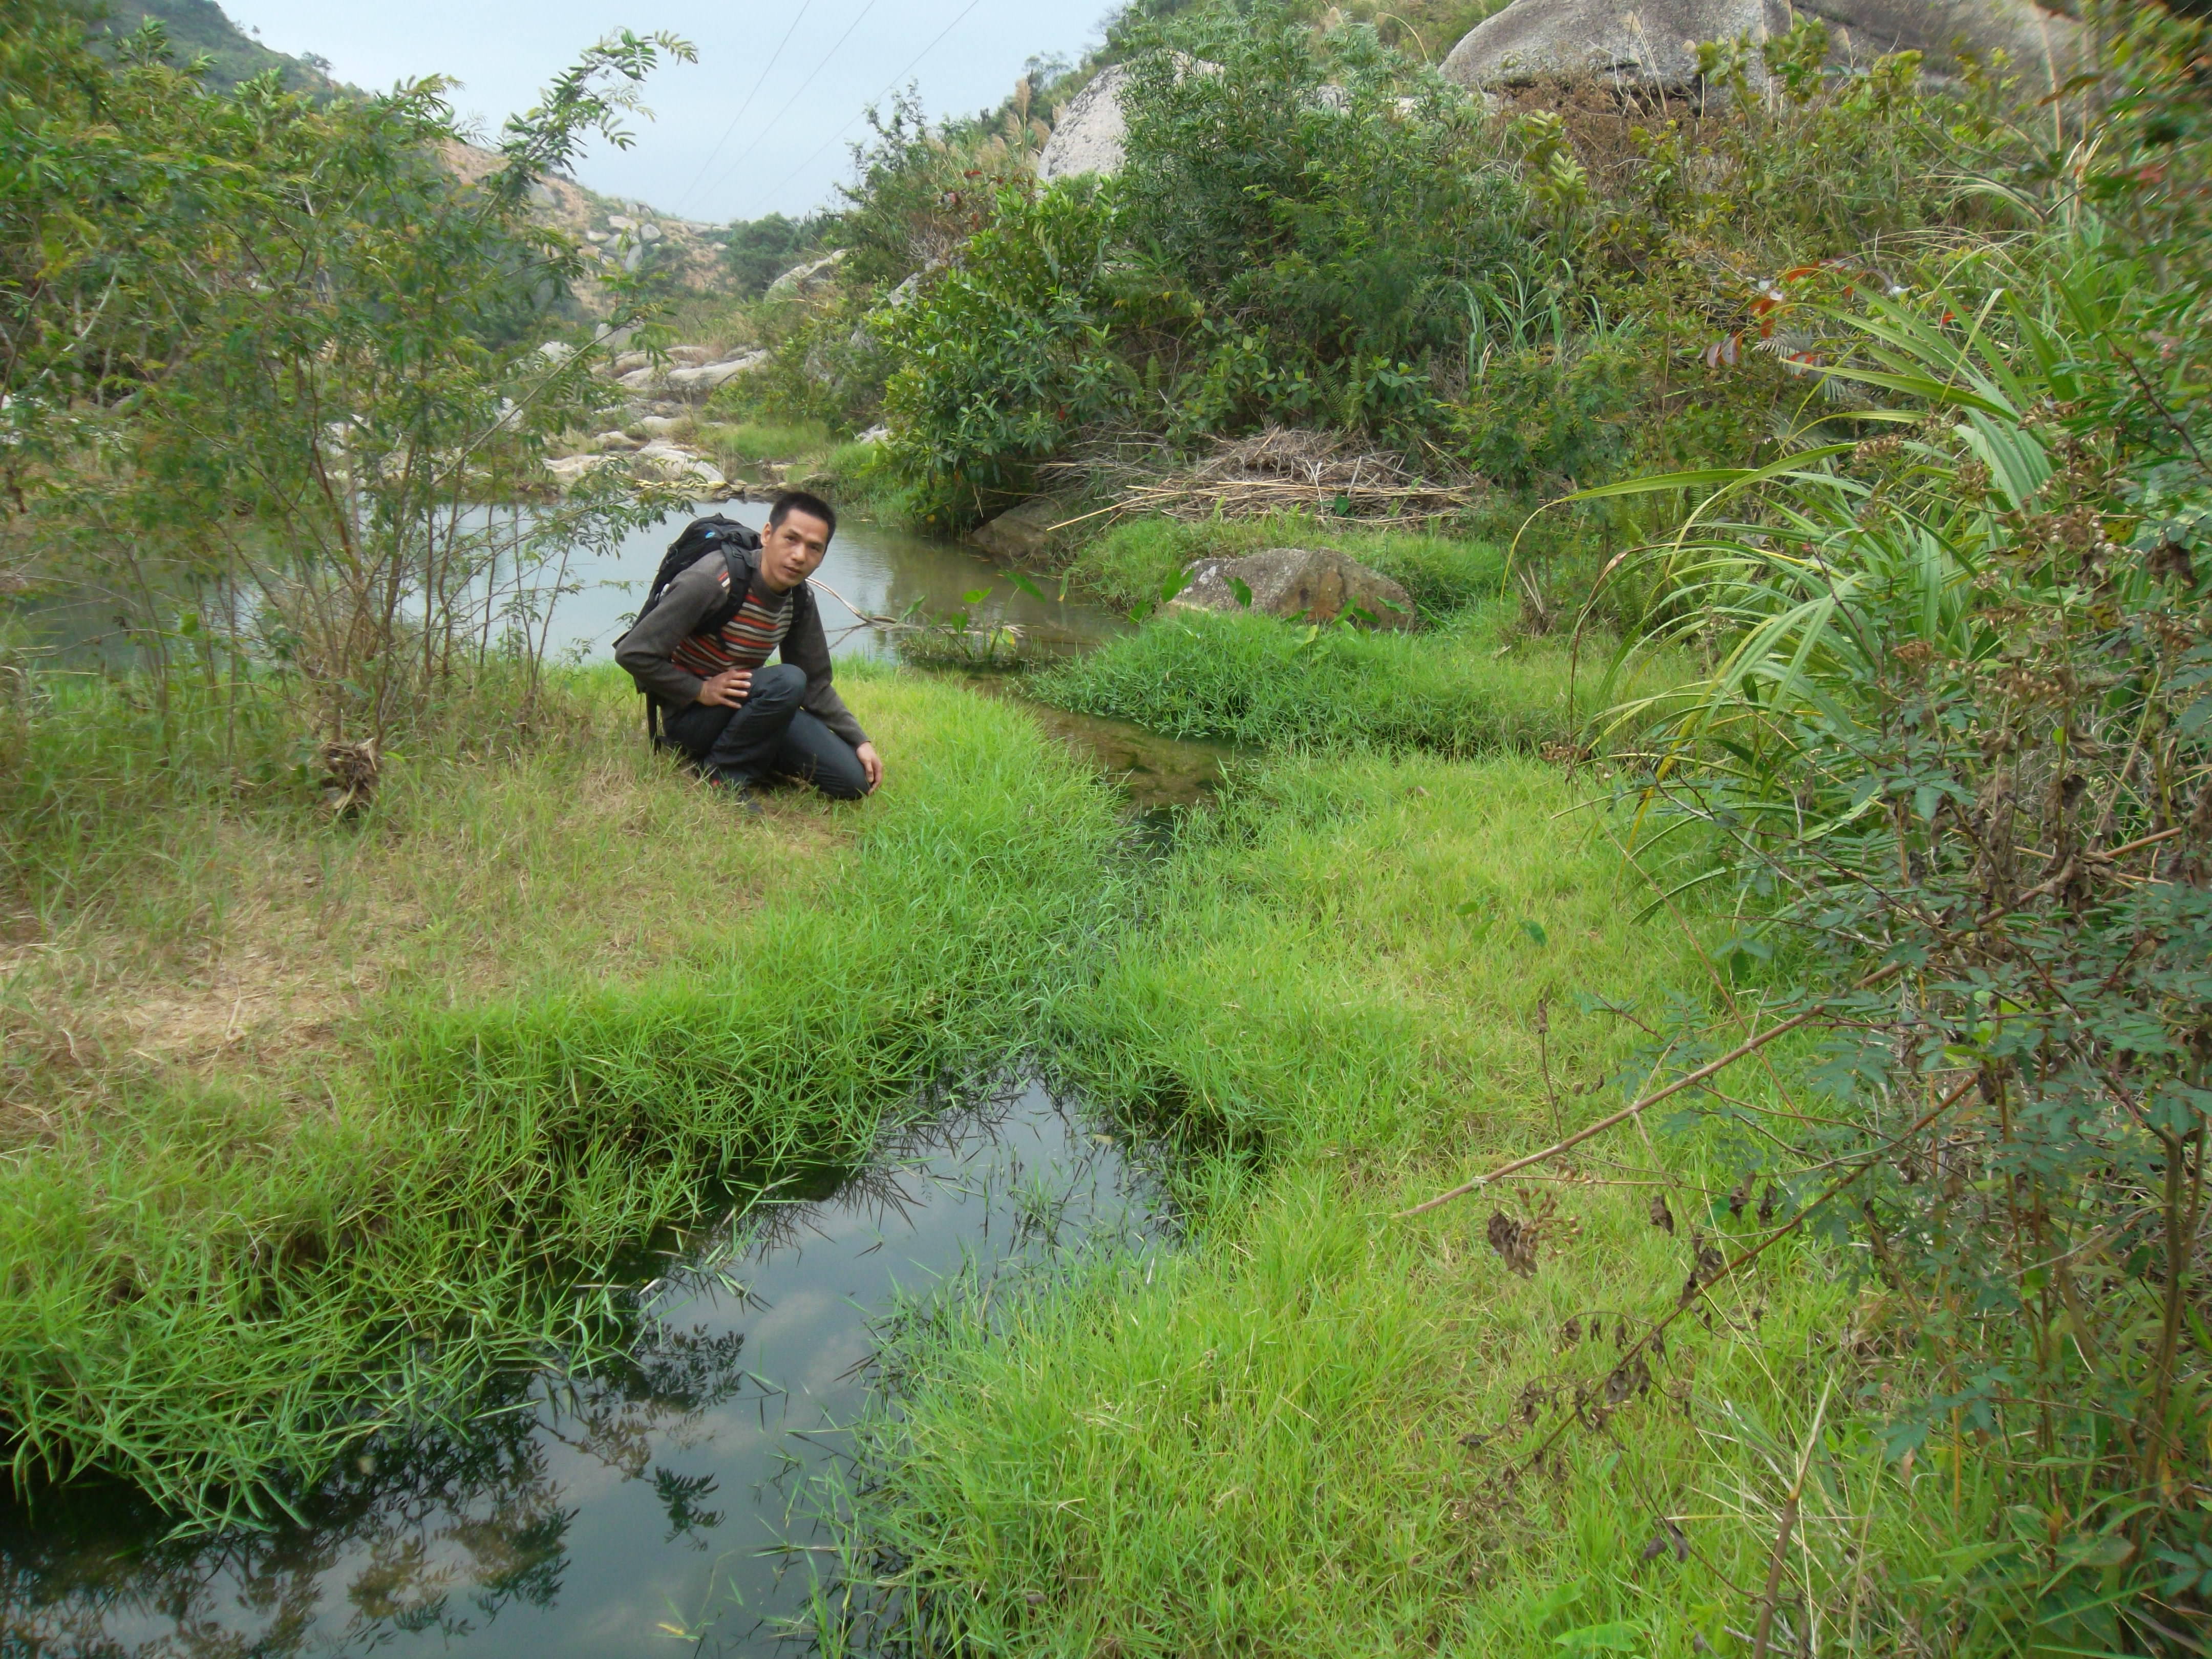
302	348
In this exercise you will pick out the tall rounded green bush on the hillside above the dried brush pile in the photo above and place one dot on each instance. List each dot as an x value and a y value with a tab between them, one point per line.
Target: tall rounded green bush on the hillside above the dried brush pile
1319	207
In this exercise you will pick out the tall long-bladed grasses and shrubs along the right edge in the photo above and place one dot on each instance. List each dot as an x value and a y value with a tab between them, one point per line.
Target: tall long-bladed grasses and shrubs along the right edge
1959	762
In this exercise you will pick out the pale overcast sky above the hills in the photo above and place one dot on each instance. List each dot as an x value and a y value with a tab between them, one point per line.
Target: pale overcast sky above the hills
716	152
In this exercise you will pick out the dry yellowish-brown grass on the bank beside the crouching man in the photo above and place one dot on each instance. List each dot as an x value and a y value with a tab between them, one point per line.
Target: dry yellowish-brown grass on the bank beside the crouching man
468	881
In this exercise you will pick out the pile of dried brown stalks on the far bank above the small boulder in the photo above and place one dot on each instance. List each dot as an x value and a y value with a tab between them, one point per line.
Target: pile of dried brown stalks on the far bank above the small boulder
1288	470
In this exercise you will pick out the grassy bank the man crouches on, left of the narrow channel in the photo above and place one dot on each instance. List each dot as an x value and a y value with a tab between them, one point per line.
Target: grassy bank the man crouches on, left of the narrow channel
225	1273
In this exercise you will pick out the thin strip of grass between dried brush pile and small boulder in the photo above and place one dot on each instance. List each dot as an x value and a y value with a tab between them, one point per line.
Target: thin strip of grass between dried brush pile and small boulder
1129	563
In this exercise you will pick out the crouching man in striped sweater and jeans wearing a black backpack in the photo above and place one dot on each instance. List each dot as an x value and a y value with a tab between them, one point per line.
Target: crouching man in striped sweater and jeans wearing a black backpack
705	662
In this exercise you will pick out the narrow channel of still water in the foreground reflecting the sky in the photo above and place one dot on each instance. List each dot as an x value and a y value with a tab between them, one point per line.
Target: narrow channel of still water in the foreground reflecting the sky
671	1494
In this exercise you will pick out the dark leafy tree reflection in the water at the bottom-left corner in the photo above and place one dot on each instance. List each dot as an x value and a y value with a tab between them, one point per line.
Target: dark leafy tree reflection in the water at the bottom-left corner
437	1532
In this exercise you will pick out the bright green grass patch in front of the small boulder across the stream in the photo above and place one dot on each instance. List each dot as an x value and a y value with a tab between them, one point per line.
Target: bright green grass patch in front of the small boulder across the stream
1264	682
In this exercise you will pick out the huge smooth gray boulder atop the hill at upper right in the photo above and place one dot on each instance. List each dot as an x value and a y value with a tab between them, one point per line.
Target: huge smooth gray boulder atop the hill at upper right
1653	43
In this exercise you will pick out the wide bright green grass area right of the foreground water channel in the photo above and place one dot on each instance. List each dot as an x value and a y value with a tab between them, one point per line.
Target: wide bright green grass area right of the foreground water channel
1295	1434
